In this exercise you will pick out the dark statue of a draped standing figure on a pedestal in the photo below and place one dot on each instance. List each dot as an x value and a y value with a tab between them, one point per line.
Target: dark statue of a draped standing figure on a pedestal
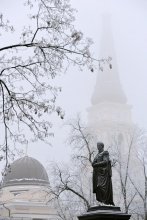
102	184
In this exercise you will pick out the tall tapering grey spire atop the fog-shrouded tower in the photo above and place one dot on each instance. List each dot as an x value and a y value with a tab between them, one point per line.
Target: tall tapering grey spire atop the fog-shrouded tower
108	87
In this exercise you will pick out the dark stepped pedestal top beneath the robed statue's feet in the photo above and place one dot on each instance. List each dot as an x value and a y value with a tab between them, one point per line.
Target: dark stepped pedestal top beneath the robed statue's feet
104	213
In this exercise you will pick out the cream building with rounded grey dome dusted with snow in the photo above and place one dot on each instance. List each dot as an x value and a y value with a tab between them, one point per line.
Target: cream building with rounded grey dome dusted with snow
25	192
